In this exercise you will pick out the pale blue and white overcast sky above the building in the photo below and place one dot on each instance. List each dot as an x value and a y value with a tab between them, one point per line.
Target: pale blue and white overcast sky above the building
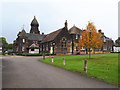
51	15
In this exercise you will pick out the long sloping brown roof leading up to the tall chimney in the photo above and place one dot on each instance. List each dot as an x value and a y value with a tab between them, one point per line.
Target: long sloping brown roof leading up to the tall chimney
52	35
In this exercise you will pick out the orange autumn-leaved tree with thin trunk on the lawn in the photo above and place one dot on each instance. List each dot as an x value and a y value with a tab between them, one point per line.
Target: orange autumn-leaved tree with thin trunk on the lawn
90	38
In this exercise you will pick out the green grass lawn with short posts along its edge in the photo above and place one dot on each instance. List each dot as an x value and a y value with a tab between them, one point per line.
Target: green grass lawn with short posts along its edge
103	67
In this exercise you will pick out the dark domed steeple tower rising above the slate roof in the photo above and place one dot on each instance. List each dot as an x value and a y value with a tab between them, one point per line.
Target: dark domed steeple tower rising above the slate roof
34	26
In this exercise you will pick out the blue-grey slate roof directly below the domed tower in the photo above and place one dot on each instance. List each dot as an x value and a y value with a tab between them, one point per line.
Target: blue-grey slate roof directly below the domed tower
37	37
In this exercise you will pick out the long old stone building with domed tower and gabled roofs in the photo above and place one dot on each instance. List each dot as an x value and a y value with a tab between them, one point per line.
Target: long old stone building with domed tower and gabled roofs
61	41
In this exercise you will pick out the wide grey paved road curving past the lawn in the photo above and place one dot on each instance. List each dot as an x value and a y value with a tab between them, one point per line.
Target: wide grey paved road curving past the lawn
29	72
